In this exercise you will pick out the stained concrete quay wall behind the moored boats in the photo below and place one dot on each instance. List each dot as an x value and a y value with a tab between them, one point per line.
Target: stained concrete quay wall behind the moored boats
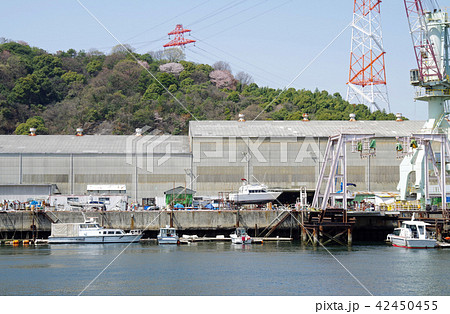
23	221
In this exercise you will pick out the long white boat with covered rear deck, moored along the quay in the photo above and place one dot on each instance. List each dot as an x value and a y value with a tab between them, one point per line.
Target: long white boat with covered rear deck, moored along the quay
90	232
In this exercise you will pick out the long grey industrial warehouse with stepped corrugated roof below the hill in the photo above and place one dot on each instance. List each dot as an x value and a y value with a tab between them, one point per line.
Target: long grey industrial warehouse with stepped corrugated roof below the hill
211	160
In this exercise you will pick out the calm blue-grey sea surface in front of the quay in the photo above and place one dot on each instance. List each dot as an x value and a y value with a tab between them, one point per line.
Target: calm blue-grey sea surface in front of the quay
222	269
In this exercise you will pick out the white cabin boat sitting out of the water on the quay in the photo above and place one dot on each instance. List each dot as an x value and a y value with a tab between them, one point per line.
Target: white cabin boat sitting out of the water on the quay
253	194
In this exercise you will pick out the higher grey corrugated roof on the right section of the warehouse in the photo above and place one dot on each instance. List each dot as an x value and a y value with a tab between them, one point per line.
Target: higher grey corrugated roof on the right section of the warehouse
301	129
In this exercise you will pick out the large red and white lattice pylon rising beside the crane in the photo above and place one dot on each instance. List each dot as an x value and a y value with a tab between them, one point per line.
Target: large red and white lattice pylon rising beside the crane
367	75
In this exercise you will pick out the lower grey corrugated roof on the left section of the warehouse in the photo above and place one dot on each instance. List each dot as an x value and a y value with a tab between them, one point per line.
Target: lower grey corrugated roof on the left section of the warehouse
100	144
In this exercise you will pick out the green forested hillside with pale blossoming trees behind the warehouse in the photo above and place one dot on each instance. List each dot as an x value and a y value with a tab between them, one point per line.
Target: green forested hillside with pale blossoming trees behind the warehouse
114	94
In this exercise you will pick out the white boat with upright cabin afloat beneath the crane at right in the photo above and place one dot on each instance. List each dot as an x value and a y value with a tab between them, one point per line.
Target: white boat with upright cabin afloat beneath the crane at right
412	235
